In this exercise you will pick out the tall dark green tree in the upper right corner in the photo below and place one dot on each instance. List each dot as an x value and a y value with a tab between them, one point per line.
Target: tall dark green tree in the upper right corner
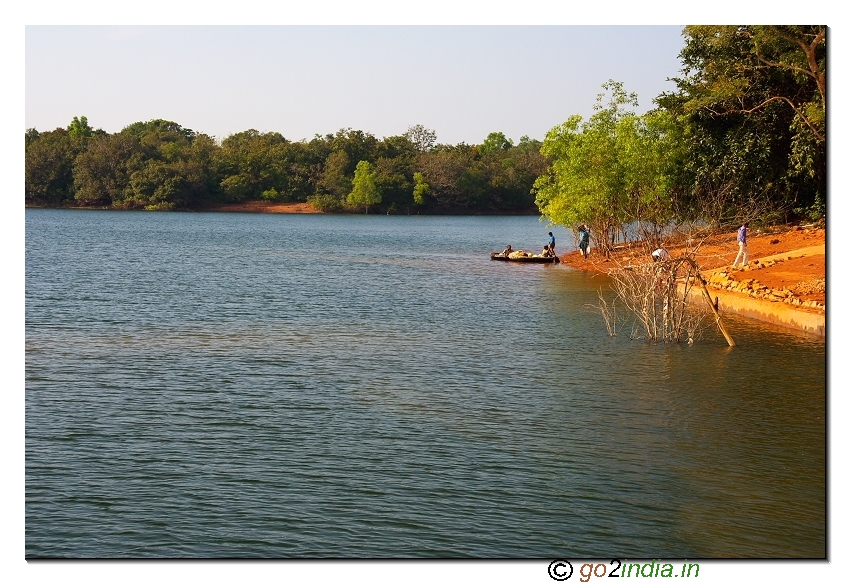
753	99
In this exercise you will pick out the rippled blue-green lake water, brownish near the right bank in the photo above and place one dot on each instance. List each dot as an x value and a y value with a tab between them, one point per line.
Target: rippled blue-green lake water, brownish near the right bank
238	385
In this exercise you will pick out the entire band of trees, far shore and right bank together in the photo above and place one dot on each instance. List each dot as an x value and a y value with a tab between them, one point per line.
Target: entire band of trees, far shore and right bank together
742	136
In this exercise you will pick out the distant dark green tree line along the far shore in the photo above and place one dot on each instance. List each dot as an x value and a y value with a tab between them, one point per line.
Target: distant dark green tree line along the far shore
160	165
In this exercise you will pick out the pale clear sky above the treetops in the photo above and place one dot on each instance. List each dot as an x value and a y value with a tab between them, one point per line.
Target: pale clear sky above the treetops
462	81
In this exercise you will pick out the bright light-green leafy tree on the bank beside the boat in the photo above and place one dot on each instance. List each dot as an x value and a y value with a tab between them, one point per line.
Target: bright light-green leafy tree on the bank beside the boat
610	170
